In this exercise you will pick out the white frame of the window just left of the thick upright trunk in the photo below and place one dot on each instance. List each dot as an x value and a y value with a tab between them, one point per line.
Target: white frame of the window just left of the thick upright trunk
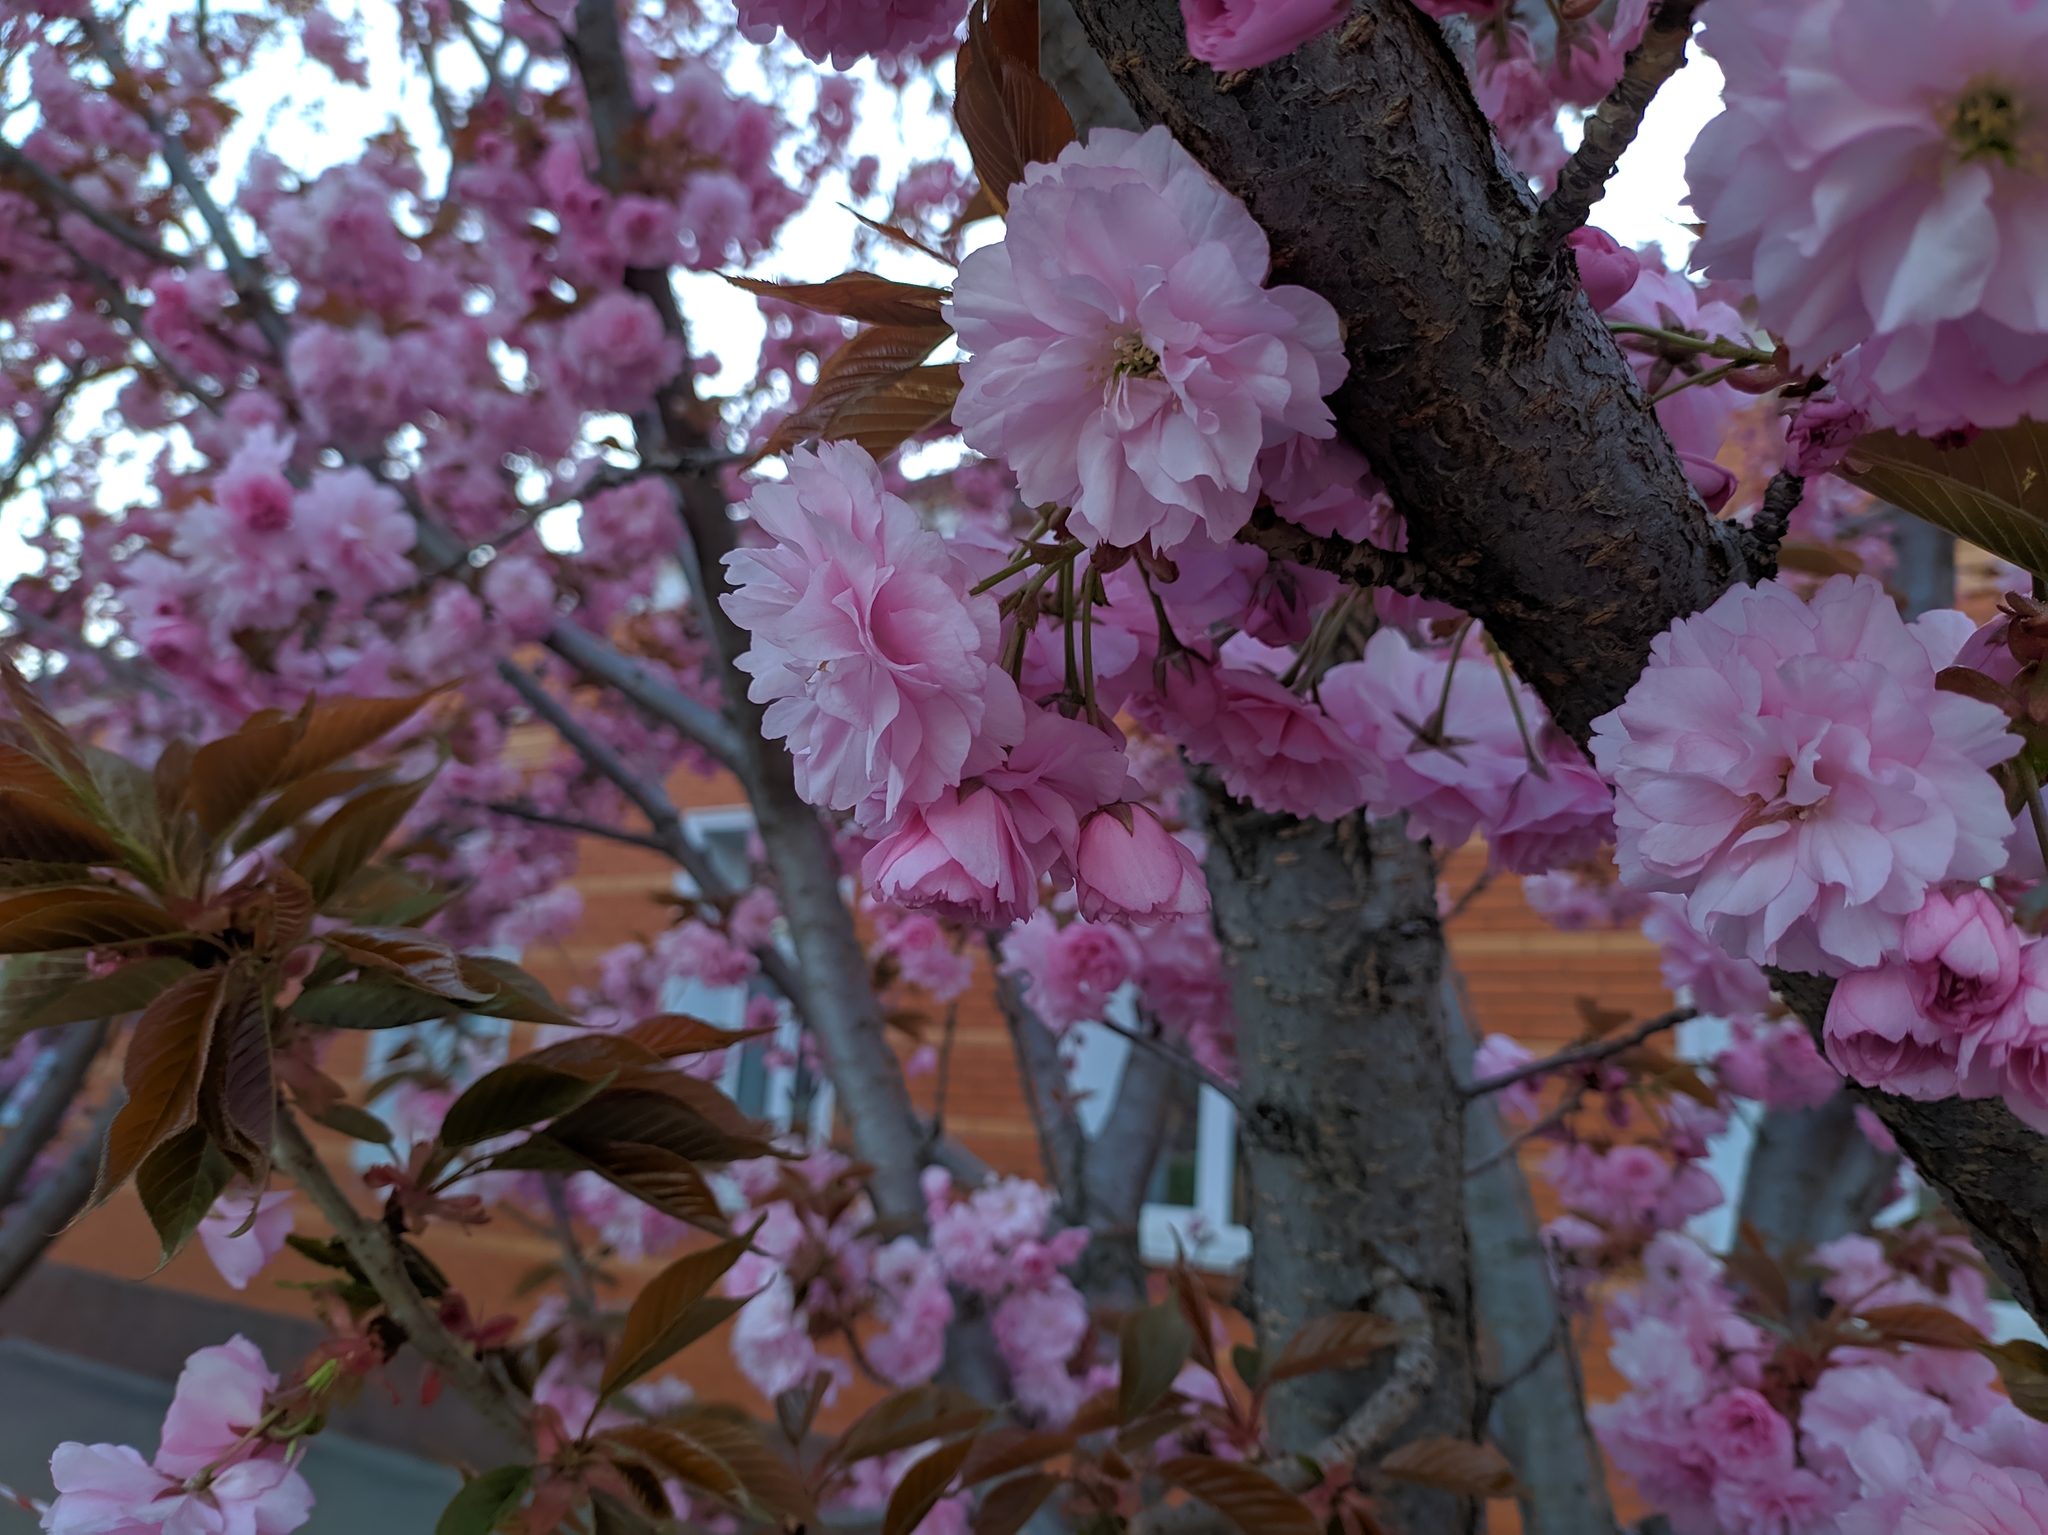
1205	1231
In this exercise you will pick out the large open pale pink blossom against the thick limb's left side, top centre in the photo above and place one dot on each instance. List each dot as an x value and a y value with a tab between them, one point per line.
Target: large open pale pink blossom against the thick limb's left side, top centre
1125	357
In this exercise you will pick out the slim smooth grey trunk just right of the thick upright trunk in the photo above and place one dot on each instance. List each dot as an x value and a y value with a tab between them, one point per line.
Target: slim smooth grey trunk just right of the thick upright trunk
1537	1401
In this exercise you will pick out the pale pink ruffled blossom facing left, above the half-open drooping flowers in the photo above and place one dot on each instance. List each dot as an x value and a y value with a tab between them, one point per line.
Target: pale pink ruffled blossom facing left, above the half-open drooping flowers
867	650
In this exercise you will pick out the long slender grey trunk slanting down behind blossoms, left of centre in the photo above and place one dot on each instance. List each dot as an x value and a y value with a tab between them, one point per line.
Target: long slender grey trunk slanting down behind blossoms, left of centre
685	435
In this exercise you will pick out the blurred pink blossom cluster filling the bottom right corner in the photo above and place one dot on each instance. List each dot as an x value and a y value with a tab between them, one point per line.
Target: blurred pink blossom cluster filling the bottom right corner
1885	1440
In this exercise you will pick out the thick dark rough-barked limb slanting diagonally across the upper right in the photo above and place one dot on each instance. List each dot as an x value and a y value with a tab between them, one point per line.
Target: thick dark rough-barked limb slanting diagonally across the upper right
1539	490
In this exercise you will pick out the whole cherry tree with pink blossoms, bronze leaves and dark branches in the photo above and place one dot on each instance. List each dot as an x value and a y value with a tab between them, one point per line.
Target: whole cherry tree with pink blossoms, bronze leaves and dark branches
1322	494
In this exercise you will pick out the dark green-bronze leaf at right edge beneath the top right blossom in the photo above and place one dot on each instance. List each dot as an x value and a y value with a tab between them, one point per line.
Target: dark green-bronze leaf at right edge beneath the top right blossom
1992	490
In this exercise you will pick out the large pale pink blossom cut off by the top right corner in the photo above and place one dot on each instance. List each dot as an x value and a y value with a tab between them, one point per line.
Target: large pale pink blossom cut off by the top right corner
1873	181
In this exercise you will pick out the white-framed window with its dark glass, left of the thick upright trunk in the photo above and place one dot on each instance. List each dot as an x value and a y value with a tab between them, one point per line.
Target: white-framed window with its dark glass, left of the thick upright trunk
1193	1204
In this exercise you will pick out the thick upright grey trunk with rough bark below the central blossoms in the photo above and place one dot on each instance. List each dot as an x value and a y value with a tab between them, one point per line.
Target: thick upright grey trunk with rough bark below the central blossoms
1353	1127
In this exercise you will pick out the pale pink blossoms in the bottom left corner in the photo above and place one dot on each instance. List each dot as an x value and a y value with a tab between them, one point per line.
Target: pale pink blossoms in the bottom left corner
214	1475
